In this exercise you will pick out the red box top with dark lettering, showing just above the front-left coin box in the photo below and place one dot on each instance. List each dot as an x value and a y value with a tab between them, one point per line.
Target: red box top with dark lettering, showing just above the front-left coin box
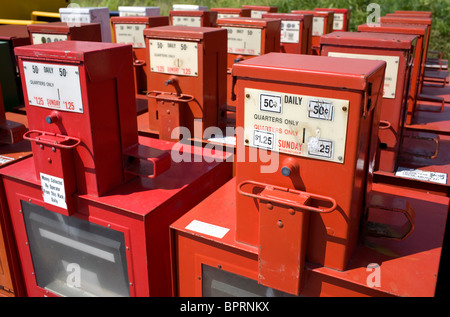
61	31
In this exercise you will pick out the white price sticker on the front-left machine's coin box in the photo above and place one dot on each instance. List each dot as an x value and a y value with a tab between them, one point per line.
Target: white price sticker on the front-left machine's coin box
53	86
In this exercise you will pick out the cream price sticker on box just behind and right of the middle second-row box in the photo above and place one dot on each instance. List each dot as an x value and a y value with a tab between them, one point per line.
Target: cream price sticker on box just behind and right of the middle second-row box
245	41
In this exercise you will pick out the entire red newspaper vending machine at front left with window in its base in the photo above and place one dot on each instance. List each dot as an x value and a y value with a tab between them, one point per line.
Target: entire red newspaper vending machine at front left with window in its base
91	208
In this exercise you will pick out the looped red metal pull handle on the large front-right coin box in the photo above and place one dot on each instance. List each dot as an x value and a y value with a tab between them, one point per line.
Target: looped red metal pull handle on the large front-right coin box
289	203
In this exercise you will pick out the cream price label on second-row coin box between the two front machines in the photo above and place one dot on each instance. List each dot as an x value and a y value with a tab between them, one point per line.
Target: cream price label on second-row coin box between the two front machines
174	57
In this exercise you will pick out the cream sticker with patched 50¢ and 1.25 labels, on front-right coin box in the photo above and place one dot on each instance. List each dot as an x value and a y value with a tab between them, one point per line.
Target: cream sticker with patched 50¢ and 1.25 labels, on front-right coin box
300	125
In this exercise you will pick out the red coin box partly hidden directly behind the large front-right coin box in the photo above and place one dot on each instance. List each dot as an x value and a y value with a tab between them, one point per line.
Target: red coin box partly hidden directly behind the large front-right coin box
383	46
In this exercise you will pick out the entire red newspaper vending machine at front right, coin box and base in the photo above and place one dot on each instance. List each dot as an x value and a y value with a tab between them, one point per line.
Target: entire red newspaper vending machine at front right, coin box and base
281	229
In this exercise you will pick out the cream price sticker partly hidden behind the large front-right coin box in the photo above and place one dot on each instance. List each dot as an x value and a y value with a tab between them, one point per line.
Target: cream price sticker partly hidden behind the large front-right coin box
390	77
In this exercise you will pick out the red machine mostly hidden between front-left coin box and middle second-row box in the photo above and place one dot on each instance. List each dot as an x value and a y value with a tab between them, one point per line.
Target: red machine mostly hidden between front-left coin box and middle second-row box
130	30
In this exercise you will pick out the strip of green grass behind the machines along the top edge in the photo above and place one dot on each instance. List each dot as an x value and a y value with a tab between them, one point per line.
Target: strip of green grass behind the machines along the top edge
440	36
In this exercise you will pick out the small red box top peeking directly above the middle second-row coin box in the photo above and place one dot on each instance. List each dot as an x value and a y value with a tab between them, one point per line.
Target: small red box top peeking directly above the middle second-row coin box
197	18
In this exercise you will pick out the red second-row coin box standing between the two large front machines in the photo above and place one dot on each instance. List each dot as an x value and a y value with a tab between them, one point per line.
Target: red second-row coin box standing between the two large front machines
185	97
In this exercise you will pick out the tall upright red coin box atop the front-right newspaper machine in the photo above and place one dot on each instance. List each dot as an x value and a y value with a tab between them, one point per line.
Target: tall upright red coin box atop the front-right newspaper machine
308	116
